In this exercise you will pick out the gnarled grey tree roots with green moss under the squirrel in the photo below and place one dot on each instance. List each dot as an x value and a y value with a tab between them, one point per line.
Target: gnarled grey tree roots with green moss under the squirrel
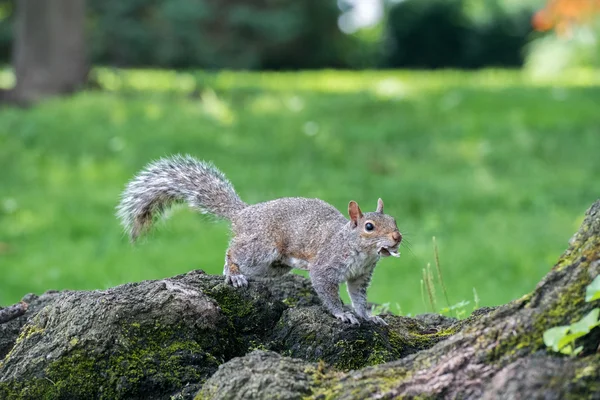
170	338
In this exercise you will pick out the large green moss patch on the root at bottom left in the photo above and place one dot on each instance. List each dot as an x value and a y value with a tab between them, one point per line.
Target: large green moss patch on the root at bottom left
149	359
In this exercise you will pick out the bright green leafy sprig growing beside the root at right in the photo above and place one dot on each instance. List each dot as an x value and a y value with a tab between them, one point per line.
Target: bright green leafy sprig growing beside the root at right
562	338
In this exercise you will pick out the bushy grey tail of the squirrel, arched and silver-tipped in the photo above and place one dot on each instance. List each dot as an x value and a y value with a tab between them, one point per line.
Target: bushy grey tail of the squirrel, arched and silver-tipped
171	180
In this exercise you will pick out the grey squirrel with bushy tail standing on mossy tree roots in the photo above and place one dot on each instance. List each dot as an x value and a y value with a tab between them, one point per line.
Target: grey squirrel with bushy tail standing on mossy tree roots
271	238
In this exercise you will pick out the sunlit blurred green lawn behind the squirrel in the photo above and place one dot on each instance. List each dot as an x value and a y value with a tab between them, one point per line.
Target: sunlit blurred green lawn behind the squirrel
499	168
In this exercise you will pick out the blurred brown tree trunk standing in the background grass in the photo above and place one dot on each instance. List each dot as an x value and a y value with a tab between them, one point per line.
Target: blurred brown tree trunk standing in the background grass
49	51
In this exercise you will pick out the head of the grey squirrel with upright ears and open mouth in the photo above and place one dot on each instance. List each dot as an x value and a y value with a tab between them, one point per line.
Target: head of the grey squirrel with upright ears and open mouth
376	230
